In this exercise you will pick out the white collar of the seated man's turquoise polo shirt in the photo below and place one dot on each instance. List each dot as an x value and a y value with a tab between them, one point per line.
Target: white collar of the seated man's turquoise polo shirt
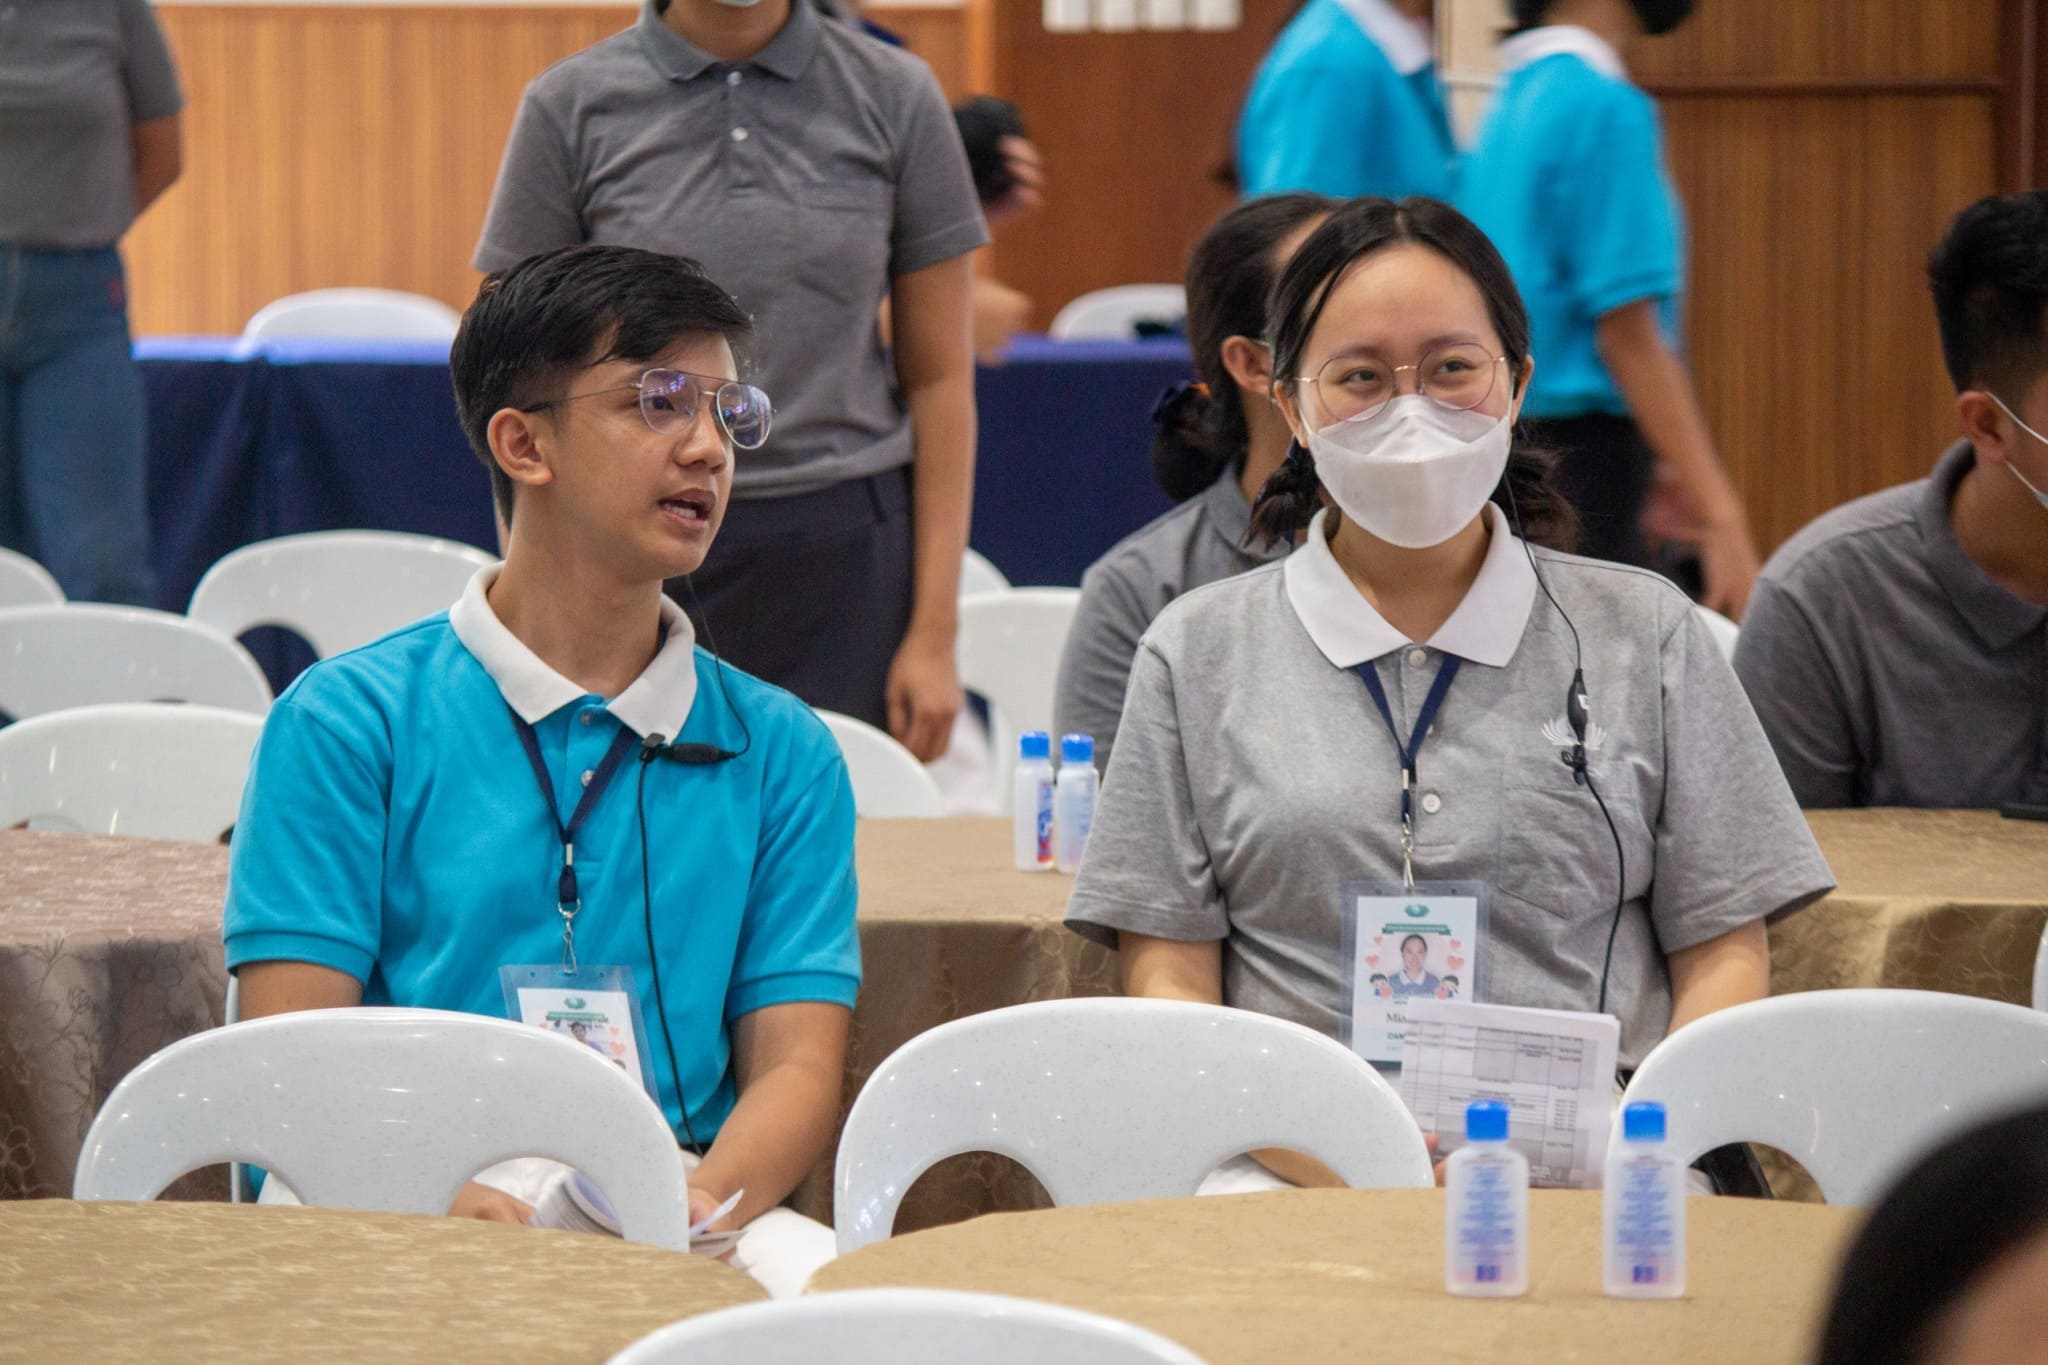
656	703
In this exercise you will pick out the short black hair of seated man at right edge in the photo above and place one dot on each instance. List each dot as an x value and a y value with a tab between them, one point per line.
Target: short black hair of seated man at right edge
1990	279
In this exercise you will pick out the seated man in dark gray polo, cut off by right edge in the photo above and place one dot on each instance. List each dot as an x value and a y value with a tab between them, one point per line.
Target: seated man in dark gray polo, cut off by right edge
1895	648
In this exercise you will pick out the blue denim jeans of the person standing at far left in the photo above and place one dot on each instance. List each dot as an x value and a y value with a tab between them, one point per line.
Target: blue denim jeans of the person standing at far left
73	425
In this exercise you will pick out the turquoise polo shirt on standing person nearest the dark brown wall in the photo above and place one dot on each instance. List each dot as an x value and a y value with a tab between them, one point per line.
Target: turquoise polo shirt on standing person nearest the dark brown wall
1570	181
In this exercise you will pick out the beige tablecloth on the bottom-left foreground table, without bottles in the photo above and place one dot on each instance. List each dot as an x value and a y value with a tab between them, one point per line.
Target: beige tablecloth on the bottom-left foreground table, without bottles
191	1282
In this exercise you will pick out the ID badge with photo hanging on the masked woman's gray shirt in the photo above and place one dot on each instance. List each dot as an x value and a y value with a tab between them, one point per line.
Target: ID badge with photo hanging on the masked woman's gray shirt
1404	944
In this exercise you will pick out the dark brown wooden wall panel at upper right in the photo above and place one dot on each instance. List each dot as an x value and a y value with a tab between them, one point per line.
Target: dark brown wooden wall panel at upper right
1822	150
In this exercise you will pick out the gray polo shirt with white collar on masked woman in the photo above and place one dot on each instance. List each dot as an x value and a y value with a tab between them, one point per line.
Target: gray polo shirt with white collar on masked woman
1254	777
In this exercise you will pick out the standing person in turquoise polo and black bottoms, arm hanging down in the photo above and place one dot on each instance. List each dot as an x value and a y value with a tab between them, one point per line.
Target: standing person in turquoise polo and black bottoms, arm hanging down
1570	181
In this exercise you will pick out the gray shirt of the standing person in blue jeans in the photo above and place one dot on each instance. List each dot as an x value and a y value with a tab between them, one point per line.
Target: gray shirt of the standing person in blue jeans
77	77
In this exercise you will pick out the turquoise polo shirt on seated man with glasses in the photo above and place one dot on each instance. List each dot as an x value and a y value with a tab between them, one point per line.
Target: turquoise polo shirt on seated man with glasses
394	830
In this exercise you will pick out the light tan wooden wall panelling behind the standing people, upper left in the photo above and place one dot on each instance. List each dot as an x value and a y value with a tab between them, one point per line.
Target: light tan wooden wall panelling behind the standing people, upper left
357	146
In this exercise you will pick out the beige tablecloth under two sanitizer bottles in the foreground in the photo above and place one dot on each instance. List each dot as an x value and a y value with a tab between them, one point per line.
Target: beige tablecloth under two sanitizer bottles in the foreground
1359	1276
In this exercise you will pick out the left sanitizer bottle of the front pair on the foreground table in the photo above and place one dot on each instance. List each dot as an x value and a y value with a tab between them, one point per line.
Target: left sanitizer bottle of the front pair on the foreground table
1488	1208
